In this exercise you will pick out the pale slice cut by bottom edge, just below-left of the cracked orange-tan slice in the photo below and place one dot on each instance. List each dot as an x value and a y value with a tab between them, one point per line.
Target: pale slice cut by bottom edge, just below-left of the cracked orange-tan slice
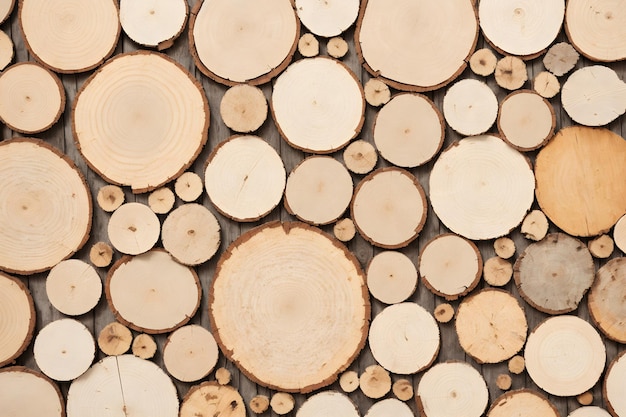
452	388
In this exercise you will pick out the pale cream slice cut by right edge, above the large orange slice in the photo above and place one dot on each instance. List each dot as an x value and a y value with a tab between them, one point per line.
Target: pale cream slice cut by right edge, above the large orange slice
594	96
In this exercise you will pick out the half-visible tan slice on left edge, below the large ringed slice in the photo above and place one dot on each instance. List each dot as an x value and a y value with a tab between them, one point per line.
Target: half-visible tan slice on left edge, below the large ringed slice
17	318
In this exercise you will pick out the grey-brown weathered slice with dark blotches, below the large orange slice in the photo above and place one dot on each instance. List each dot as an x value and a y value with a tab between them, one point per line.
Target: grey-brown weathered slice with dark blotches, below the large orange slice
553	274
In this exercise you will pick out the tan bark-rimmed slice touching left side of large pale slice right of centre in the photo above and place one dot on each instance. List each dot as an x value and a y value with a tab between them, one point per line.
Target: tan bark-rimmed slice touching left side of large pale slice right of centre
389	208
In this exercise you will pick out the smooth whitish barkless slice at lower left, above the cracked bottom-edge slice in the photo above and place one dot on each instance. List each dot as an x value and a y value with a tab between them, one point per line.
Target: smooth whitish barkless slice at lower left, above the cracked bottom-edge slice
64	349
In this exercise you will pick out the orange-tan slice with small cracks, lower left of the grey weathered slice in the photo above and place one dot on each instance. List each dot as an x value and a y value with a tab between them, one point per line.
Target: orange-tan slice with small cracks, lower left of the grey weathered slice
491	325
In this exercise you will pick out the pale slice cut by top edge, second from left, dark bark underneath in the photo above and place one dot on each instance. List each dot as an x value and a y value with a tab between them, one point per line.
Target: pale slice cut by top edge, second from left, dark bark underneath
154	23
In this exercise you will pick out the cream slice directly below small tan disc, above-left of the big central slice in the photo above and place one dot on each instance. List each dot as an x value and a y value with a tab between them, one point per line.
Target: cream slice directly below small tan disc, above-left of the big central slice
245	178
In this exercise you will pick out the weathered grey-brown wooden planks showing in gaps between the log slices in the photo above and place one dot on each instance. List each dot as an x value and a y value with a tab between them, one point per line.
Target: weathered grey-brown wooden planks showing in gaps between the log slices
60	136
